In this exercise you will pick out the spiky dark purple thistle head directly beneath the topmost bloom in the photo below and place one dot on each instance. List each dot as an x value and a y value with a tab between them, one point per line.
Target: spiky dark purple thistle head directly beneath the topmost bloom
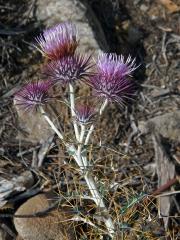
69	69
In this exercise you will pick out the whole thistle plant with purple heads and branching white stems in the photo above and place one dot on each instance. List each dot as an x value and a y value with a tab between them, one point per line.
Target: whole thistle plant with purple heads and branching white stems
110	79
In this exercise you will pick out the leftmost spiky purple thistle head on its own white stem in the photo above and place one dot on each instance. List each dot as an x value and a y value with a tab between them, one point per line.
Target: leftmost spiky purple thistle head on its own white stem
32	95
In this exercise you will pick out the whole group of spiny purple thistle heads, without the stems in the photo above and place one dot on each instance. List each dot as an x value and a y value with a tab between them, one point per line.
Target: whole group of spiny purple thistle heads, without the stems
112	80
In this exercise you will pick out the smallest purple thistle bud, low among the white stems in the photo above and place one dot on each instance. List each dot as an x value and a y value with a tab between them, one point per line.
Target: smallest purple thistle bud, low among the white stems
84	114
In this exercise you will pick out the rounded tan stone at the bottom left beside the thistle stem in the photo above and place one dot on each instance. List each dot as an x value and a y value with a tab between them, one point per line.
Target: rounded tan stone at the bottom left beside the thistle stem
53	225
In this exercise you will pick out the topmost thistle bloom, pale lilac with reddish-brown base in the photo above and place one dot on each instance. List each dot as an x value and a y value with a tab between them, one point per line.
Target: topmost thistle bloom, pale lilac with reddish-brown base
58	41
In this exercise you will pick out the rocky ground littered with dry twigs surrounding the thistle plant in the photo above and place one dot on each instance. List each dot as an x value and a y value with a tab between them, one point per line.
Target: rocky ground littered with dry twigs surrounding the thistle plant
139	158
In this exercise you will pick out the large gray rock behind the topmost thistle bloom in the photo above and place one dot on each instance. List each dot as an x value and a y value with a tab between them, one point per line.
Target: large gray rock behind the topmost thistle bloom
51	12
